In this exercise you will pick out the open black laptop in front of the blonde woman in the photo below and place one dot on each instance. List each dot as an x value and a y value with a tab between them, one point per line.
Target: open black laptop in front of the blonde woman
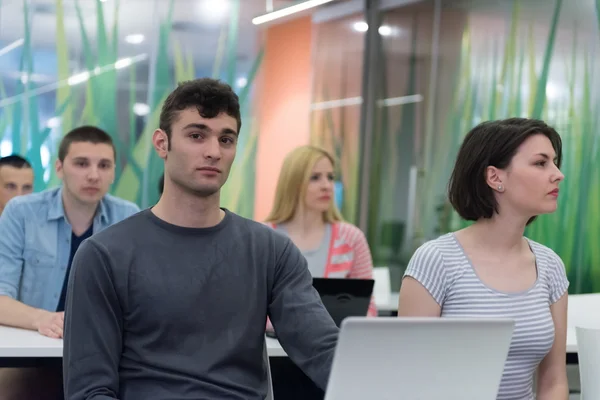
345	297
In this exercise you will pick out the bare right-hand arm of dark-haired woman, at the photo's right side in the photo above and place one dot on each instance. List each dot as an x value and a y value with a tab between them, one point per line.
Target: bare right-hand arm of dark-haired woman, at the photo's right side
552	373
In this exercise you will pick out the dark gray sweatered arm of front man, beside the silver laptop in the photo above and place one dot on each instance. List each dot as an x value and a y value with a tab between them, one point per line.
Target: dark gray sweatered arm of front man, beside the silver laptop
305	329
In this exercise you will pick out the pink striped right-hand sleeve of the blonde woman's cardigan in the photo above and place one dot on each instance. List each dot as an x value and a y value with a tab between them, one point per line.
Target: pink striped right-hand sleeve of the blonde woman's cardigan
362	267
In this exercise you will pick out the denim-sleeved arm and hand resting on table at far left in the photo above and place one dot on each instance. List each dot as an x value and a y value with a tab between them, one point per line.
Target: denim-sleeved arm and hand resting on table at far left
13	312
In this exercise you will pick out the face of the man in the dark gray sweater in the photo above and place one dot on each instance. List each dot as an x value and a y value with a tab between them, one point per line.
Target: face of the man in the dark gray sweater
201	151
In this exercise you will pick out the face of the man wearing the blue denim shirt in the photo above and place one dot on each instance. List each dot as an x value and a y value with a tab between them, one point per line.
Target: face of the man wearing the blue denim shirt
87	171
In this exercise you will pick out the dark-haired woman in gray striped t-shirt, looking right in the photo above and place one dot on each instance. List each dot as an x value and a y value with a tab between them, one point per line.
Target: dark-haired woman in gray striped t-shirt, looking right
506	173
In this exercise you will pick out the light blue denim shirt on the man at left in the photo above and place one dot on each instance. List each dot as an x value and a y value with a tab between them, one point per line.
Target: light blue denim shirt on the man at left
35	244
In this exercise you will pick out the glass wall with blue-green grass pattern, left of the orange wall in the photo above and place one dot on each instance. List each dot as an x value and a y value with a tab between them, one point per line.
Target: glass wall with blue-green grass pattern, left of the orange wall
65	64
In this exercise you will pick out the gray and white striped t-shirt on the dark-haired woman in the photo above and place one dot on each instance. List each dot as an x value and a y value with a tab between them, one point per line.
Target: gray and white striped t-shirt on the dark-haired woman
443	268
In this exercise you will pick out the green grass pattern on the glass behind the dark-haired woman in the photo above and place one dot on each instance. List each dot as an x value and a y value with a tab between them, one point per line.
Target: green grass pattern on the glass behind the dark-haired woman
497	92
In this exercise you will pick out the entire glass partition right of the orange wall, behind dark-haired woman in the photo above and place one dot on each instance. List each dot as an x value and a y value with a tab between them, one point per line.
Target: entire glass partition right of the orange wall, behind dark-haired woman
431	71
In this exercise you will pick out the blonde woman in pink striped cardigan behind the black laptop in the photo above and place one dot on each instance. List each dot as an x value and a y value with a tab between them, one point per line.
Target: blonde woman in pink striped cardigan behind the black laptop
305	211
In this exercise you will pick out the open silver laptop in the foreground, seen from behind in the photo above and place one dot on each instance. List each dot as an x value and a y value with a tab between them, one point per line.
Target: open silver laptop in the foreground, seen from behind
391	358
